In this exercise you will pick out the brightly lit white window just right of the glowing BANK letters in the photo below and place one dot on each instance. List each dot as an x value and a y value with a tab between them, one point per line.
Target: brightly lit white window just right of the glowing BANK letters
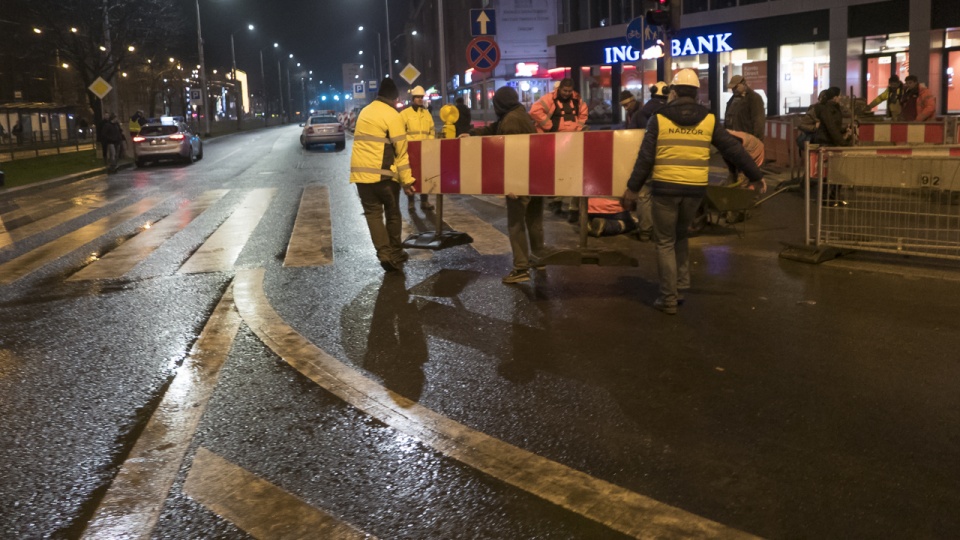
804	73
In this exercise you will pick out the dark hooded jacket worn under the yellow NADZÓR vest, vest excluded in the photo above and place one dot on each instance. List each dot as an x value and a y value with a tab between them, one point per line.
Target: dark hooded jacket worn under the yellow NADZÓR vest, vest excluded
686	112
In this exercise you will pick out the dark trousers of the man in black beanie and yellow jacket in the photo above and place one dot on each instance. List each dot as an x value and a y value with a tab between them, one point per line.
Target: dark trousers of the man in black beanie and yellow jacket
381	208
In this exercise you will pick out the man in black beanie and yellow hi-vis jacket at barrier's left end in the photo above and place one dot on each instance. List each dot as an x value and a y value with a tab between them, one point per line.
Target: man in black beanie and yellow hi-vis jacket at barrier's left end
379	167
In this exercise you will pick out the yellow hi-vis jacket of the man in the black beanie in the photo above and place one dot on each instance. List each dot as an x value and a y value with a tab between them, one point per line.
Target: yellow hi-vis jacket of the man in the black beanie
380	146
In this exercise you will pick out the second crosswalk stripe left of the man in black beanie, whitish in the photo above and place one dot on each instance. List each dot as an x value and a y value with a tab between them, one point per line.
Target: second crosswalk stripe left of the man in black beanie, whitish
223	247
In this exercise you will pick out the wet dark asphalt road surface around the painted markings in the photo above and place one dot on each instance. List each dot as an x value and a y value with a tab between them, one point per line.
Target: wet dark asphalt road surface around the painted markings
785	401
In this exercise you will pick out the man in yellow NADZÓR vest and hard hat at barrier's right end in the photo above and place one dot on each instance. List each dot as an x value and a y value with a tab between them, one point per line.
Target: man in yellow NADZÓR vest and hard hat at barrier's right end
675	155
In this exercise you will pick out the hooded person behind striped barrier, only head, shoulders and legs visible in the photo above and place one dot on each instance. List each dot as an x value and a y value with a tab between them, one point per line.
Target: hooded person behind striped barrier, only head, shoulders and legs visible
524	213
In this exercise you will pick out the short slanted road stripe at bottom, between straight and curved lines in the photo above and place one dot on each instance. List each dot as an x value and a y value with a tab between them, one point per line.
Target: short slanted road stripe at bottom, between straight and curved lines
256	506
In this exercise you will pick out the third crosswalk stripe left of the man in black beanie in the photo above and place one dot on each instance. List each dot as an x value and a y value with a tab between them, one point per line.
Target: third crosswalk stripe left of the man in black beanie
119	261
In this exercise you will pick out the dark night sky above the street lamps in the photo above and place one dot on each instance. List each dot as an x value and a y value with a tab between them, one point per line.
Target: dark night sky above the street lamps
321	34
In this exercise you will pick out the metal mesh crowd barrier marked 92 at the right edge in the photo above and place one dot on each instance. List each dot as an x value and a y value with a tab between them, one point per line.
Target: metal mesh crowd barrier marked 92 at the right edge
898	200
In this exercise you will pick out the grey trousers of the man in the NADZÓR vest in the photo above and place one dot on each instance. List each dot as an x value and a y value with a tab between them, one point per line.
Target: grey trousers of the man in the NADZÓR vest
672	217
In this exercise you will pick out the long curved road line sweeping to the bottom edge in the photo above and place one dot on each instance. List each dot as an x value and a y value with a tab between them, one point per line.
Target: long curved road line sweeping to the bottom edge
601	501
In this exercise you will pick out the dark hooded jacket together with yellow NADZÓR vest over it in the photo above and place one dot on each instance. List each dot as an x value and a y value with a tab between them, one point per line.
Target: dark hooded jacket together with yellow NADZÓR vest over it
675	152
